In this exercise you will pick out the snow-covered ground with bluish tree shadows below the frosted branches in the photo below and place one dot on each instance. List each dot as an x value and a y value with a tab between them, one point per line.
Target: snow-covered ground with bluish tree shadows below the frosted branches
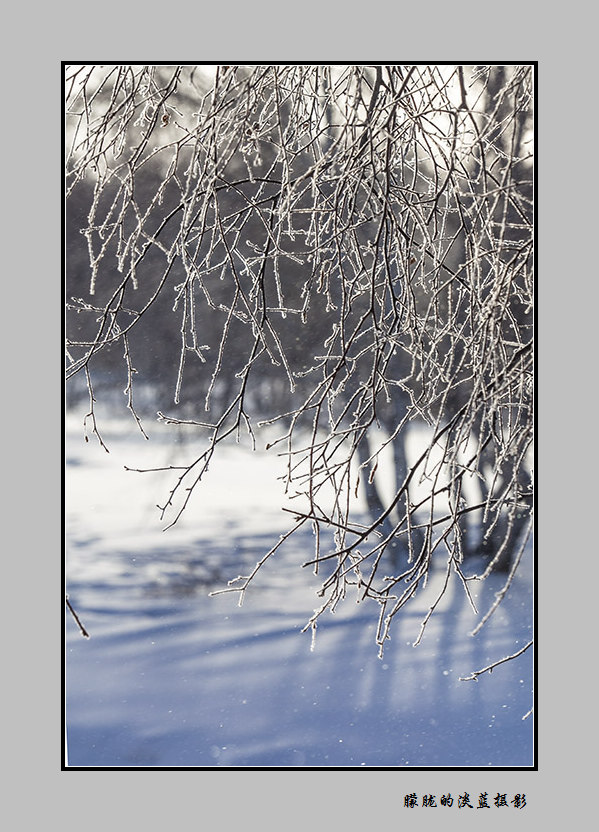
172	677
